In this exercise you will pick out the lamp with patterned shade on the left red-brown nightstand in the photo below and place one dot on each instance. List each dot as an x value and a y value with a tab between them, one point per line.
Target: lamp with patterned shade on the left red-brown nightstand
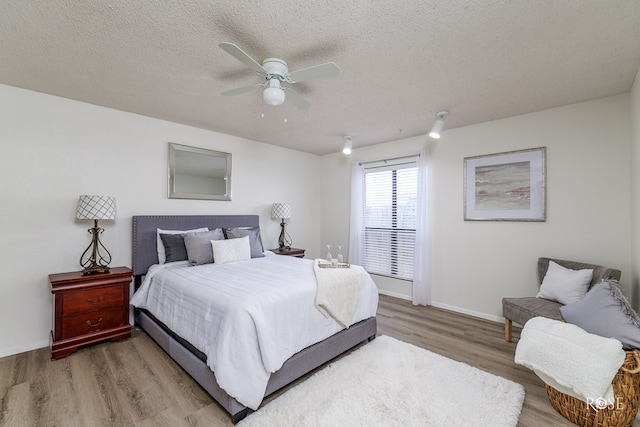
96	258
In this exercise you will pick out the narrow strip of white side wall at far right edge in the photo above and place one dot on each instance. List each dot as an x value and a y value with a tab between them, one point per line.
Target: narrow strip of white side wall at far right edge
635	186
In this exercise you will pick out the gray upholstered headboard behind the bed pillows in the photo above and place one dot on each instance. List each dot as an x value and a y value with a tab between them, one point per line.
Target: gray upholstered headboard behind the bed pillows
145	252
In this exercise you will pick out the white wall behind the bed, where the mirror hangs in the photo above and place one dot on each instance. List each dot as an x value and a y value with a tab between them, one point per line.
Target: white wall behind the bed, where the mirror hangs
54	149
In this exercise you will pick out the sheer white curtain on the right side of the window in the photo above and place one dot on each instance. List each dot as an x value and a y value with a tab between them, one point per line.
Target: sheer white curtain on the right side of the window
422	255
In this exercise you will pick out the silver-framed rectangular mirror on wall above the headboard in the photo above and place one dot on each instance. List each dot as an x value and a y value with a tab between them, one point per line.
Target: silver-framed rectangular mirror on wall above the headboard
198	173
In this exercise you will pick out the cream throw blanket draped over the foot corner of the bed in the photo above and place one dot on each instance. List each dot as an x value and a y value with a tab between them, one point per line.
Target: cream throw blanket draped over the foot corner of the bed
338	291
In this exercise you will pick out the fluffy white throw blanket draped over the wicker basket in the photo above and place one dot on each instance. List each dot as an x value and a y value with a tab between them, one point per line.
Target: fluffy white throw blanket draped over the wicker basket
570	359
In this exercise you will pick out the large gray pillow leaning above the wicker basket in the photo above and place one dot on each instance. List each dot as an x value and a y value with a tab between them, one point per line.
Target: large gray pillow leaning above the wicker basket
605	311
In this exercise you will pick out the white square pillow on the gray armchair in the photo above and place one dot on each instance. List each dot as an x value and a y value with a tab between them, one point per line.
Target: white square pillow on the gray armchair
564	285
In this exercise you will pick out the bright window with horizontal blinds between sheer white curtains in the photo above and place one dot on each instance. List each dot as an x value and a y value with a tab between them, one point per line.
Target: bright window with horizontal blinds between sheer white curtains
389	219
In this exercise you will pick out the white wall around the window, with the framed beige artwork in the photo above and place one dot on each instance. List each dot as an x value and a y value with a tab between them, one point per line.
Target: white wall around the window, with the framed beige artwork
475	264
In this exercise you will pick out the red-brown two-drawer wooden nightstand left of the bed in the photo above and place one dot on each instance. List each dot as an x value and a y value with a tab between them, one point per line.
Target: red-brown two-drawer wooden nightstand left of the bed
89	309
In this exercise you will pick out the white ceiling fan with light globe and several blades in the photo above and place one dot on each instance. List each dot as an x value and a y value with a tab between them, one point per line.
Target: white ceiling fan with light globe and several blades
276	72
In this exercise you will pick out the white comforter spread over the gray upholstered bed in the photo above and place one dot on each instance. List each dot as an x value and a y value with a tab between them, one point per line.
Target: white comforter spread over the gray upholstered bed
248	317
